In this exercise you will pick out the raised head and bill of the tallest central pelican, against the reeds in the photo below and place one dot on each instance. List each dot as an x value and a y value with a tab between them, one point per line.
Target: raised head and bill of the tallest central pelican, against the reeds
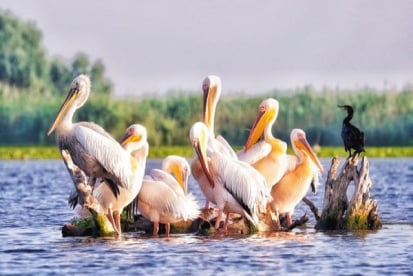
211	87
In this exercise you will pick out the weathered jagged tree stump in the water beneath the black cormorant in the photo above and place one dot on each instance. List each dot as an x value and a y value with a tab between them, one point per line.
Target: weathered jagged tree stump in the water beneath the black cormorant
339	213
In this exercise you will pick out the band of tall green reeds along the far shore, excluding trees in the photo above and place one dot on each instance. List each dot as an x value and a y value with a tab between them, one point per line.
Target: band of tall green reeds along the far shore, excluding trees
26	120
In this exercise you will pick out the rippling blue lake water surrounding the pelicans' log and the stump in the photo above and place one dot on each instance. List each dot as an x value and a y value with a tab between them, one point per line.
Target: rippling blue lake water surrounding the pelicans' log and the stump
33	208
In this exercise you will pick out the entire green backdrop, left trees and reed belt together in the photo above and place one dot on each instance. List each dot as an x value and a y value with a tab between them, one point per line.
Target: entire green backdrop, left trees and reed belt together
33	87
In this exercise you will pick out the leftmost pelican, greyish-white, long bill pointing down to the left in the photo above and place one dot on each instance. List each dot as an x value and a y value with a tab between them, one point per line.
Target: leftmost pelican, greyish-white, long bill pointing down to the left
92	149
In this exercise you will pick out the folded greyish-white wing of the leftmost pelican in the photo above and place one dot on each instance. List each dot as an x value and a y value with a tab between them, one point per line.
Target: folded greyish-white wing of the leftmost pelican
107	151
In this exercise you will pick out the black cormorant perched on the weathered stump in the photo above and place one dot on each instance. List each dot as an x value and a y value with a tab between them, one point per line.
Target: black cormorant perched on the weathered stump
353	138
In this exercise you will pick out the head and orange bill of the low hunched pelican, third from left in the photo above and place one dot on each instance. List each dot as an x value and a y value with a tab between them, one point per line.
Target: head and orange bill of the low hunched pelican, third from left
178	166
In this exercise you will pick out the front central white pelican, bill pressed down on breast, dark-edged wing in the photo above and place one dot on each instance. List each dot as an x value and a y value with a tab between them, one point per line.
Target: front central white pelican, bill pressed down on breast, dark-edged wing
233	186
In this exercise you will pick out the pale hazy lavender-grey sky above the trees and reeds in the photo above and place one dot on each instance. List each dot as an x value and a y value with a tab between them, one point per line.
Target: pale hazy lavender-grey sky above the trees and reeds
254	46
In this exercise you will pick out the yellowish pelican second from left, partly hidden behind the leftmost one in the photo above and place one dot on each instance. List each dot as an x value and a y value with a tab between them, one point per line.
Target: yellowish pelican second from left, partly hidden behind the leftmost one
135	143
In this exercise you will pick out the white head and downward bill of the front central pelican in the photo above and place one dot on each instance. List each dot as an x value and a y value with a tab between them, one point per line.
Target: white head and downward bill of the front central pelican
199	135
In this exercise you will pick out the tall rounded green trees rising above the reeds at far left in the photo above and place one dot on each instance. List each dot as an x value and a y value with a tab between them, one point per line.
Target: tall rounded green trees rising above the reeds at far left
24	62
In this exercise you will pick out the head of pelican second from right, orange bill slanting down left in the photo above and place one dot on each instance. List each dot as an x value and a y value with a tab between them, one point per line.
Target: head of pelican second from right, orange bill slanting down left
267	114
